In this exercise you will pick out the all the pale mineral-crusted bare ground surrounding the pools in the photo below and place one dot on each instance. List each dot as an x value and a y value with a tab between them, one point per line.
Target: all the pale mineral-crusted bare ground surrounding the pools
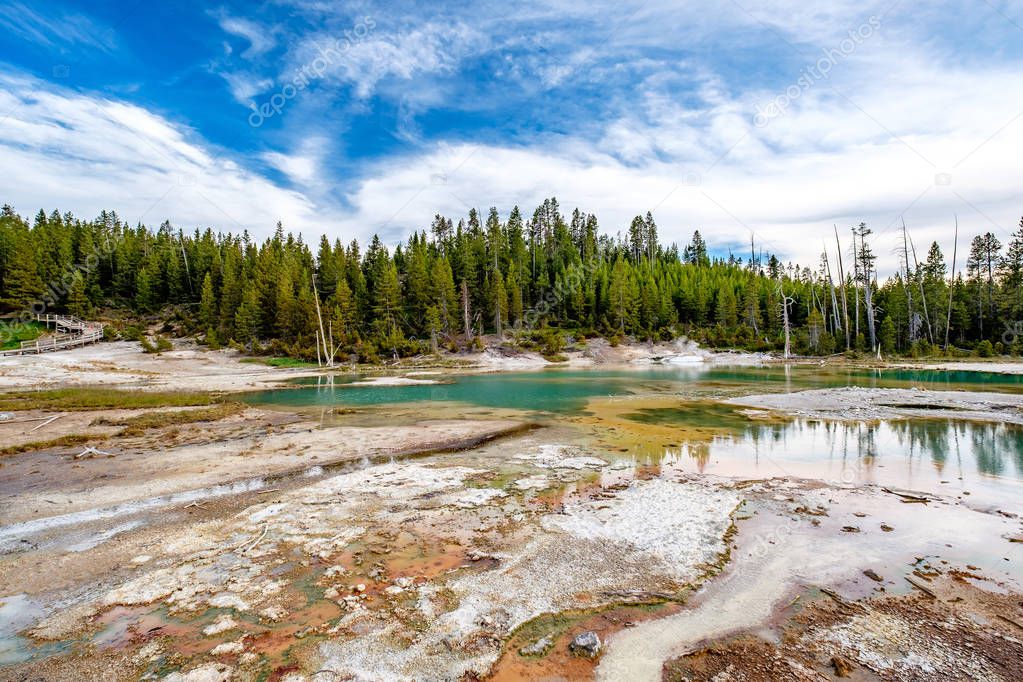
284	545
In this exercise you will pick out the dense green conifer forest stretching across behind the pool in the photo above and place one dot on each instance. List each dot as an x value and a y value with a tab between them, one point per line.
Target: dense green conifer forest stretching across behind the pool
533	280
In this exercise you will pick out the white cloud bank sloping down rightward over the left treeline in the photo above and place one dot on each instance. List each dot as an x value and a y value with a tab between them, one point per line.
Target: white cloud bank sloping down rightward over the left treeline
86	154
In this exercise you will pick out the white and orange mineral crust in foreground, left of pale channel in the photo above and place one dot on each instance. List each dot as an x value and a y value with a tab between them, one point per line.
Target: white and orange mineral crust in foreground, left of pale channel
396	571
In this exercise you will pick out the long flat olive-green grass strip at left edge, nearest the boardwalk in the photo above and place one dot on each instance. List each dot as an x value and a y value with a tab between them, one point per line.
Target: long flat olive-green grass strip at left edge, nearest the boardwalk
102	399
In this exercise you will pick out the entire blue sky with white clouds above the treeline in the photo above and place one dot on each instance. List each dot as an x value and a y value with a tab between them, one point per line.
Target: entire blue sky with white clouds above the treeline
770	120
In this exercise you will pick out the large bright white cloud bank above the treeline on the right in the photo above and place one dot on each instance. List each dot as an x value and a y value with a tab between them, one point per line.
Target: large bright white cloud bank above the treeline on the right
928	142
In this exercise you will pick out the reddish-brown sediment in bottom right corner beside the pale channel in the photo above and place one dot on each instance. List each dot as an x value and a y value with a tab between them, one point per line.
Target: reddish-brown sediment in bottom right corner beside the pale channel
961	633
